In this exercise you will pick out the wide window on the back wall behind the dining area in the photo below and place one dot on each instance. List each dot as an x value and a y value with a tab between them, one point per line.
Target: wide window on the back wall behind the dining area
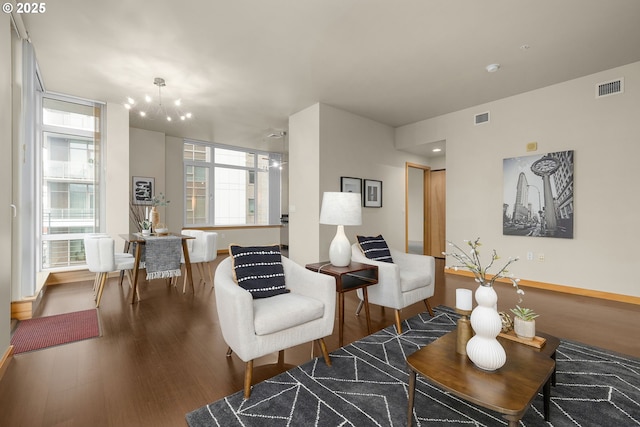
230	186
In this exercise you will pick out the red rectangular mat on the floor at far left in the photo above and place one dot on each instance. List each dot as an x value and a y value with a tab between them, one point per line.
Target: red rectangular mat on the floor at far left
43	332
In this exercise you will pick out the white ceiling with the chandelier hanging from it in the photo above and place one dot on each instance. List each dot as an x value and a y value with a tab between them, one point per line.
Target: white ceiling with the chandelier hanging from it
244	66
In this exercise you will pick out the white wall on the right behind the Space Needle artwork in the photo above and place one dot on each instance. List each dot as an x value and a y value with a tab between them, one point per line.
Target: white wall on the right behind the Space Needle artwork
604	134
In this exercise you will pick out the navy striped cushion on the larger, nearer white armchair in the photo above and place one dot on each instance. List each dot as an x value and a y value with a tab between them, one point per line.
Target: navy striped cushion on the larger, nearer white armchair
258	269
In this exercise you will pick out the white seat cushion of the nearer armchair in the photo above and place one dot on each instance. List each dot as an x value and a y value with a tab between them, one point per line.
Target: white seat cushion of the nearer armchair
284	311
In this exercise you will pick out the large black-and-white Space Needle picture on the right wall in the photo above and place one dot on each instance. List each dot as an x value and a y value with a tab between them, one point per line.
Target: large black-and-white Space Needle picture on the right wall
538	195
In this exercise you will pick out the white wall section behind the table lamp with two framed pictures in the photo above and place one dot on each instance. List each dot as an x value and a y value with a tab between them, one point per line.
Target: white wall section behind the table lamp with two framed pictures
330	143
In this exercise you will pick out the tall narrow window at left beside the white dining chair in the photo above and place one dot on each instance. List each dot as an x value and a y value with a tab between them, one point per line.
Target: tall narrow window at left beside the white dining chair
70	179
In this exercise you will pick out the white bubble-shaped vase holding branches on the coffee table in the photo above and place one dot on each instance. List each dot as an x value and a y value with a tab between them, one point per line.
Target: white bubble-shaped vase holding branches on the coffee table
483	348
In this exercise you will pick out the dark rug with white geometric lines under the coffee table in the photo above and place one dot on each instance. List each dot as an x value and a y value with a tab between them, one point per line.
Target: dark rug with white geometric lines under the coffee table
368	381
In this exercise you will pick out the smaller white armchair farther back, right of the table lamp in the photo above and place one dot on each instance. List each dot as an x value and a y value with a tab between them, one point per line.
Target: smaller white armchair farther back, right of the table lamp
409	279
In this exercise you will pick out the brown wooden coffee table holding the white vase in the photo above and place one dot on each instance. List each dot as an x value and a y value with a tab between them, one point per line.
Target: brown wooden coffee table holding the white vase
508	390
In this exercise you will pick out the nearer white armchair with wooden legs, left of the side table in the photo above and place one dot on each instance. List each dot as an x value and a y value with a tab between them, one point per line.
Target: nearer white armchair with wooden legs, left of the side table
256	327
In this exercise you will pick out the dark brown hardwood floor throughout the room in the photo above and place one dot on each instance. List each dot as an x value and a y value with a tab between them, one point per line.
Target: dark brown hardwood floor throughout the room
164	356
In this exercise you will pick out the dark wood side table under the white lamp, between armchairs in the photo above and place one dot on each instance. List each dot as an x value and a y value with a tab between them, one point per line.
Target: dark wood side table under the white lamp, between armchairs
349	278
